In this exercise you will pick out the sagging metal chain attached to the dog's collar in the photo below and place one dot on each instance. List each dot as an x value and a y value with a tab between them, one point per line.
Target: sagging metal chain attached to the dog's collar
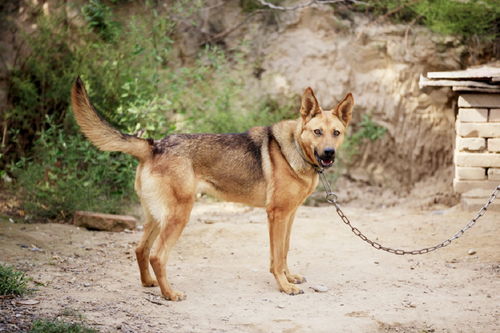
332	198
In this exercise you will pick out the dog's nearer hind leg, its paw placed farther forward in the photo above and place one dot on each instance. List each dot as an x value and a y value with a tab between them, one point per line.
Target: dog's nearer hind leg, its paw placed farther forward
180	203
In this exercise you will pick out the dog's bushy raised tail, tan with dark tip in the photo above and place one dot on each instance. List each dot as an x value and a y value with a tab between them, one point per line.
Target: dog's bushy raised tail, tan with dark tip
99	131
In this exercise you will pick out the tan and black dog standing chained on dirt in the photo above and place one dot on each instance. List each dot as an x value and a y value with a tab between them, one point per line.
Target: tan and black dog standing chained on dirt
275	167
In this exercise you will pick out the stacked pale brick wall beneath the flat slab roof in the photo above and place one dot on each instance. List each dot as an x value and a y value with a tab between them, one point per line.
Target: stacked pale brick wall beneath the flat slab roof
477	152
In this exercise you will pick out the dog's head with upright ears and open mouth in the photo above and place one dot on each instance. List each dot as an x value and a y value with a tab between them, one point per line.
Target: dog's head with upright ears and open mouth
323	131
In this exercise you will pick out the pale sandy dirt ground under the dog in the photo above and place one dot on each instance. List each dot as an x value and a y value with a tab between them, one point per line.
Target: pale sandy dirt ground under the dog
221	262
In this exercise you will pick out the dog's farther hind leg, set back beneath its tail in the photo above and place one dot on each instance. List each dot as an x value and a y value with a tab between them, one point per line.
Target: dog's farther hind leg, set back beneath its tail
151	230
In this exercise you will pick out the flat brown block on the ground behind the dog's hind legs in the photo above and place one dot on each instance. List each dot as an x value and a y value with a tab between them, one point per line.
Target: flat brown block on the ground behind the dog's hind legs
104	222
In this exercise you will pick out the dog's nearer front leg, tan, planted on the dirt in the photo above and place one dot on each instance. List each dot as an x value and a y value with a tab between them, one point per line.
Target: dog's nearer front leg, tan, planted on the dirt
278	223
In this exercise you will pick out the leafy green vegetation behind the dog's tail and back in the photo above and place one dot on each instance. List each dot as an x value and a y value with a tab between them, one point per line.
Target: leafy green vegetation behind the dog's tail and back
128	70
